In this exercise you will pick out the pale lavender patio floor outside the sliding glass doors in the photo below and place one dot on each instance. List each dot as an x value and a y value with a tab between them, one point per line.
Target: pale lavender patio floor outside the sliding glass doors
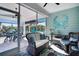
11	45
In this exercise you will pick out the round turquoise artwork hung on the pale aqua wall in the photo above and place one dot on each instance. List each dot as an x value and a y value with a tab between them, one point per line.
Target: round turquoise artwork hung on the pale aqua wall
60	22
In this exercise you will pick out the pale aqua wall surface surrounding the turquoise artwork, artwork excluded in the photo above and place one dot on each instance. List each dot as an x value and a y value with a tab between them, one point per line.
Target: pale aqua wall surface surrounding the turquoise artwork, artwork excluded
73	20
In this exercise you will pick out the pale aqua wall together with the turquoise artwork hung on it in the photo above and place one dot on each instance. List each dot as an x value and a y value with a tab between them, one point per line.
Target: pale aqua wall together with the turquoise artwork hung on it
64	21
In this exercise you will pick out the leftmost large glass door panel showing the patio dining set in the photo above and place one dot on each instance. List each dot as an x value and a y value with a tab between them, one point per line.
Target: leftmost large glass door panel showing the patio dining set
8	28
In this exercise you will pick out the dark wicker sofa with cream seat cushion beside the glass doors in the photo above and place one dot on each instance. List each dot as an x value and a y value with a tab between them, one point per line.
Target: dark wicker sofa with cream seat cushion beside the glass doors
36	43
